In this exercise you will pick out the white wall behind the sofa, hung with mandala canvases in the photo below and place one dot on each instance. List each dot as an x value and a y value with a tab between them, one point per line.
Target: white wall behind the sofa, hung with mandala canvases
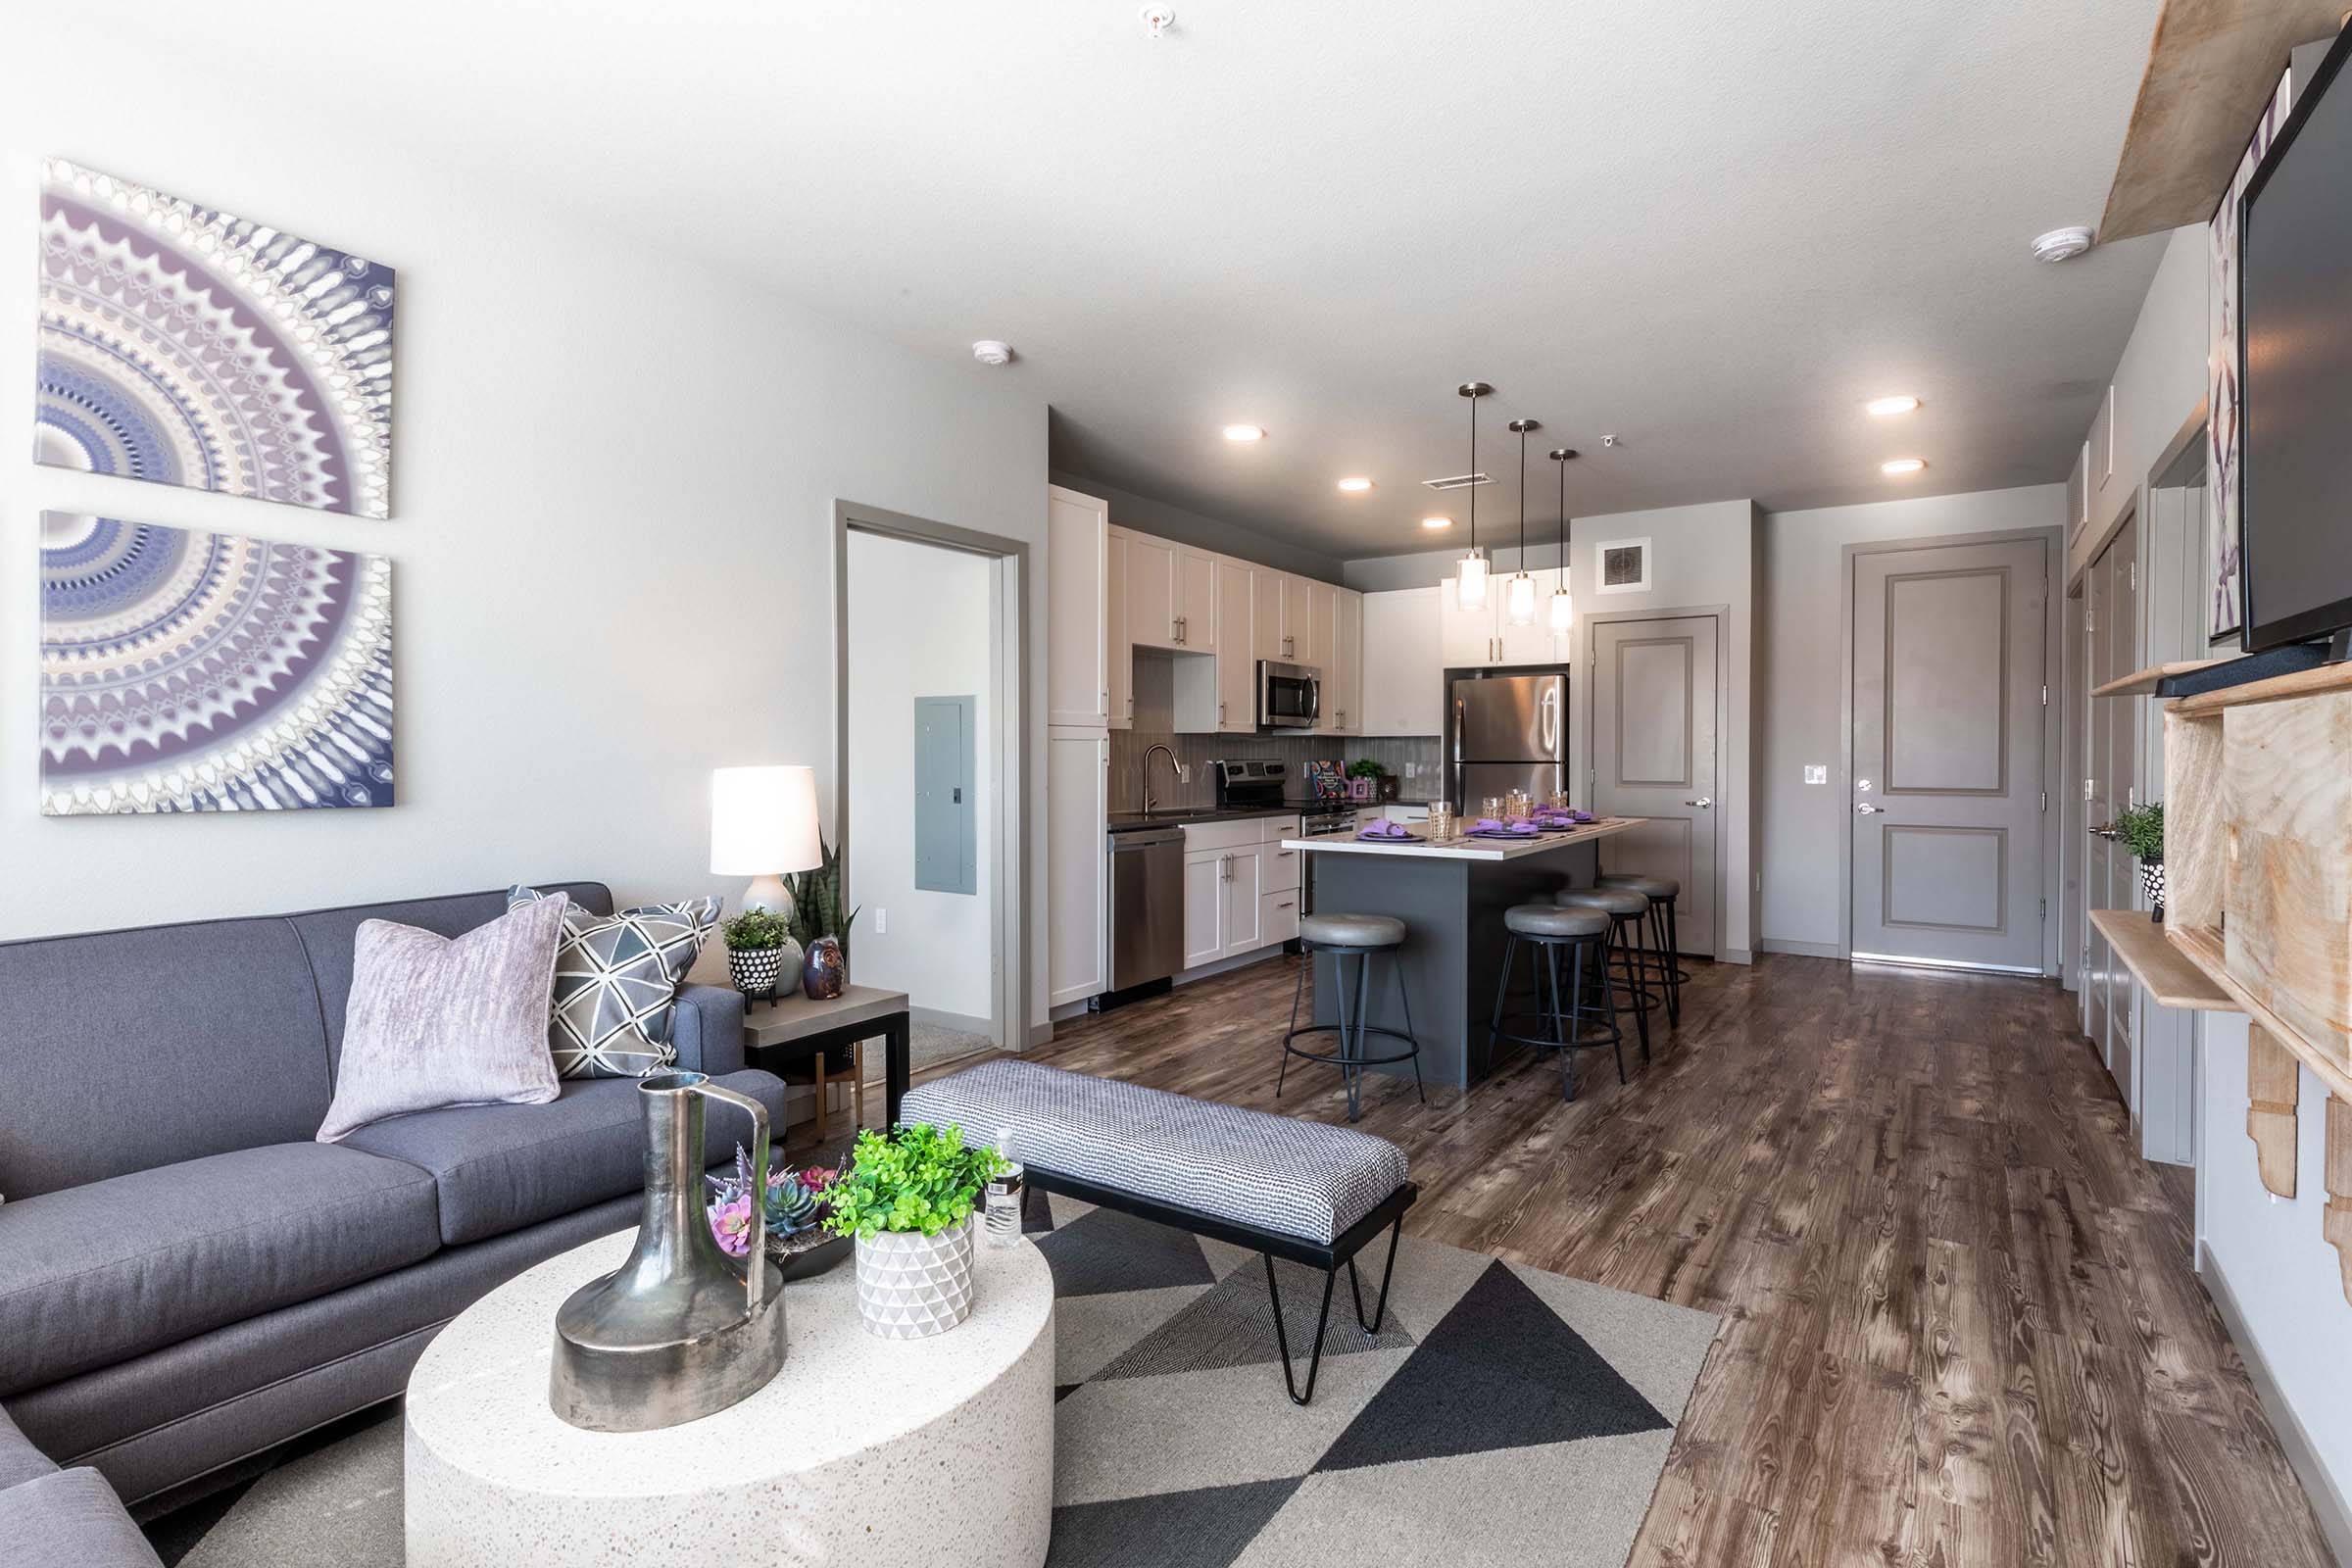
613	507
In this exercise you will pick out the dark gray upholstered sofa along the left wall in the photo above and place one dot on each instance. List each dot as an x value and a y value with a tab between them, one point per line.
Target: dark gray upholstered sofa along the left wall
187	1278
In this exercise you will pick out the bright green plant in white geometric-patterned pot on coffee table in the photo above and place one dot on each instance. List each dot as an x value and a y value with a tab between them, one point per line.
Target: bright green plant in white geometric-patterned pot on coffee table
909	1202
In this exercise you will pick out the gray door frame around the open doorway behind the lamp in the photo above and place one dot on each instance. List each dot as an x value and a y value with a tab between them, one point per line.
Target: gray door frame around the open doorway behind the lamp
1010	704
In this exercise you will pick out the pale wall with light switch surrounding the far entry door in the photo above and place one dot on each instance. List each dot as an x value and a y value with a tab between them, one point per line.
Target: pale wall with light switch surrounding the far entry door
1803	683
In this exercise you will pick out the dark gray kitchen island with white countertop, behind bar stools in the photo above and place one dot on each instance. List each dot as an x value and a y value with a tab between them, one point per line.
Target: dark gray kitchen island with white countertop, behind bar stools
1450	897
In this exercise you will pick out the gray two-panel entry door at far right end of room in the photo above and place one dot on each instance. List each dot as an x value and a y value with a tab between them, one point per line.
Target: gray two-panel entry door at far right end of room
1949	756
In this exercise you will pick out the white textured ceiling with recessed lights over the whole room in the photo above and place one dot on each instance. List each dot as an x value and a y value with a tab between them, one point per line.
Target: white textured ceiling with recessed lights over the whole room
1709	229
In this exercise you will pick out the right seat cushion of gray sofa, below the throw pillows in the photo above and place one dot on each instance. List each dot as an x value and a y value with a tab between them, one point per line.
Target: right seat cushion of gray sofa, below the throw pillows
505	1167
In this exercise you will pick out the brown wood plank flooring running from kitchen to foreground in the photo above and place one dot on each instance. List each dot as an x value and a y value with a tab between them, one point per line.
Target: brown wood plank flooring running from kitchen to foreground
1960	1320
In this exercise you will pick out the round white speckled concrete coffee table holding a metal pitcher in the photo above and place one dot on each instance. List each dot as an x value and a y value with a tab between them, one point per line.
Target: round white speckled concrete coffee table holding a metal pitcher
860	1452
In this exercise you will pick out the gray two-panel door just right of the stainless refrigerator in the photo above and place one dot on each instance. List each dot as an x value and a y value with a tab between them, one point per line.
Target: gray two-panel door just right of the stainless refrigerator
1655	756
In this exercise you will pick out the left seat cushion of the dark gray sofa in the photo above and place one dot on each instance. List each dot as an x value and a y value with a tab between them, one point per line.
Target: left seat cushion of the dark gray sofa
116	1268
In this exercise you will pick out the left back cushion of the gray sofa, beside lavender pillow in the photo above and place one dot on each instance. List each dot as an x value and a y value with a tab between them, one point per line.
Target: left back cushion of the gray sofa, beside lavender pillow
135	1050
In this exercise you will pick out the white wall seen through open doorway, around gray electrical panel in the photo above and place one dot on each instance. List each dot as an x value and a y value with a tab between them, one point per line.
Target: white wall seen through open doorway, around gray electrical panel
918	626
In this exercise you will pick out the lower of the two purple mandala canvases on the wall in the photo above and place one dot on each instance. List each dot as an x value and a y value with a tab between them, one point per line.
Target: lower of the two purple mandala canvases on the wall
189	671
